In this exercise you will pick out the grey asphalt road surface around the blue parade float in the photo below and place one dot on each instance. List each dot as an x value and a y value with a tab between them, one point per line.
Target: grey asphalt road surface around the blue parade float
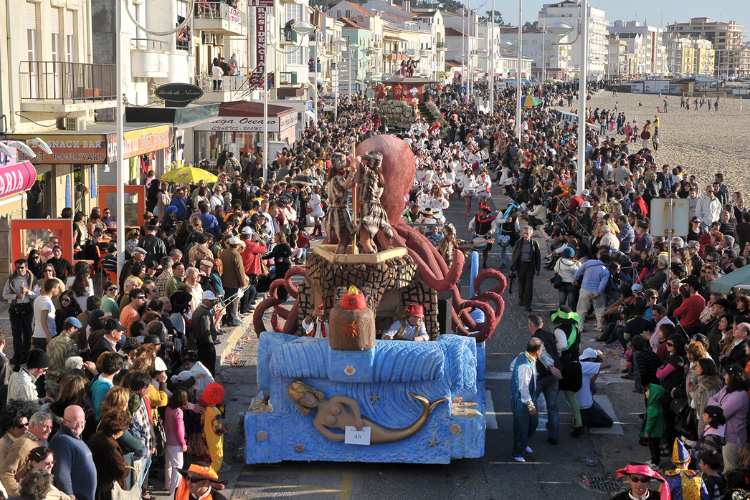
574	469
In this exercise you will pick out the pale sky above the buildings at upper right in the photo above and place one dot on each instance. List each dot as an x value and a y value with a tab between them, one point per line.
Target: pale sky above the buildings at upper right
656	12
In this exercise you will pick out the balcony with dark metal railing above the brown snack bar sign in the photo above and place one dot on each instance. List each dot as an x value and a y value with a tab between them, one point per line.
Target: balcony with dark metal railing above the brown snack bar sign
65	87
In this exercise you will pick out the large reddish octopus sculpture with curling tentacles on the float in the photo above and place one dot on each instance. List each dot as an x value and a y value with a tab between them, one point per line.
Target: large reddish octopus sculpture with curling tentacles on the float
399	170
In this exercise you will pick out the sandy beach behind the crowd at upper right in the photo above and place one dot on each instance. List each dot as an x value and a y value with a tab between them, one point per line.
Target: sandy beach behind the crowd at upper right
703	142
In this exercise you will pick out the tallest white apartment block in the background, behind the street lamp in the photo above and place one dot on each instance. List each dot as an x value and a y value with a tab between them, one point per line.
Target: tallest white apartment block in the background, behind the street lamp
569	12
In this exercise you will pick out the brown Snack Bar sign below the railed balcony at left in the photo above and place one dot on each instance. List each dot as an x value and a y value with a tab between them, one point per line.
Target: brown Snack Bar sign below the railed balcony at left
78	149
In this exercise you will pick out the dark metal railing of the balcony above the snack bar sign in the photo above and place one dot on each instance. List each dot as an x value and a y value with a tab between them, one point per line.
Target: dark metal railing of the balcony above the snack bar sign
67	81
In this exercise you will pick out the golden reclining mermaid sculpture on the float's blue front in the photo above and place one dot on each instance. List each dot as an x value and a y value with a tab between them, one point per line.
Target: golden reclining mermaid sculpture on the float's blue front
340	412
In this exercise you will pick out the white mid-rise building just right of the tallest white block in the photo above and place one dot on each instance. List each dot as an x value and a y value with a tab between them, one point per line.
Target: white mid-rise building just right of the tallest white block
644	45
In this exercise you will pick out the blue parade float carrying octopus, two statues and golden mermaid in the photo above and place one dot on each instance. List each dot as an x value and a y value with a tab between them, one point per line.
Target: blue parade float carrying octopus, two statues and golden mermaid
329	389
